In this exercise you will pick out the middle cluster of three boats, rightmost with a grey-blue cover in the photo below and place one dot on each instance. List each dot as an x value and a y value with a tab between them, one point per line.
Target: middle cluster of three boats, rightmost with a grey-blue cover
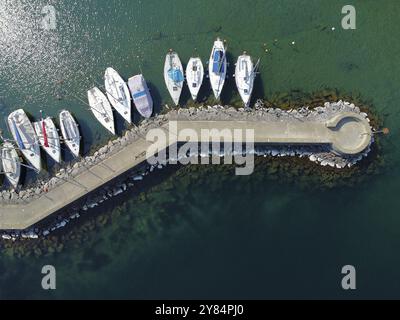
118	95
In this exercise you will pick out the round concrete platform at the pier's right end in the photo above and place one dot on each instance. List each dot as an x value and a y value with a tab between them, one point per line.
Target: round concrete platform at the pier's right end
351	133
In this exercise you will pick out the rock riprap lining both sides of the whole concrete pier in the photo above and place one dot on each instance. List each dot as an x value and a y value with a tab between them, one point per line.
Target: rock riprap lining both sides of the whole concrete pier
320	154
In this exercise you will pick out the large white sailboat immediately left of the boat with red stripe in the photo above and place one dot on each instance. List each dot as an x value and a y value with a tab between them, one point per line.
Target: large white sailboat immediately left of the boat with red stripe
25	136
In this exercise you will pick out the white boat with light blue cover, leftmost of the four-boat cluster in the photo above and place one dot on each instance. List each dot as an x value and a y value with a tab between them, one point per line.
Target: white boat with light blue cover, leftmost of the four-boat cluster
173	75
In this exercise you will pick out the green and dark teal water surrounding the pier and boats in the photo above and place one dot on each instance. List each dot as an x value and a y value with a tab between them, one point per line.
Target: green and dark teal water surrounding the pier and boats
210	234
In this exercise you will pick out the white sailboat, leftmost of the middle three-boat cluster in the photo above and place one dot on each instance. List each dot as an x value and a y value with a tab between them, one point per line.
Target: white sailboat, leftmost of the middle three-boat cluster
101	109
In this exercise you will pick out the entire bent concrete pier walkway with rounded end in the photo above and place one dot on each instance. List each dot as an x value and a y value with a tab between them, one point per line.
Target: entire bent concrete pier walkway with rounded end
346	133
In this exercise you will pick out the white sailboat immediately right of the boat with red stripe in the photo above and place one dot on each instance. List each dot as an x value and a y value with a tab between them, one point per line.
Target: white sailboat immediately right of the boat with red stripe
70	132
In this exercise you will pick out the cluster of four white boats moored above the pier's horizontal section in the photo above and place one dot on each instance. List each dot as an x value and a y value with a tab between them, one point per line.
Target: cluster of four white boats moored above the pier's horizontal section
245	73
